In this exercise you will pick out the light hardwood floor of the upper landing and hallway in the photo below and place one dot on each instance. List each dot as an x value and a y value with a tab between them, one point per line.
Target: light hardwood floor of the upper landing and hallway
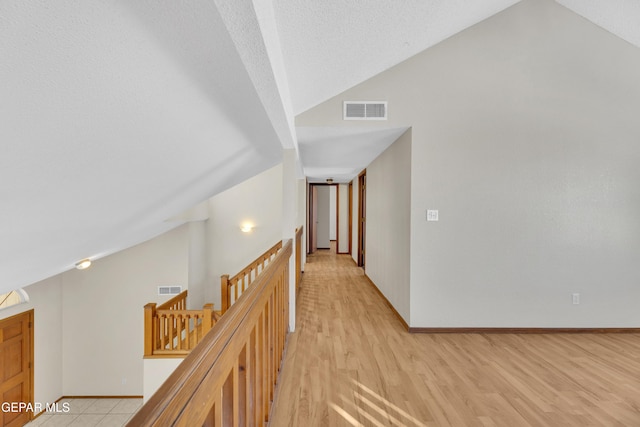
350	363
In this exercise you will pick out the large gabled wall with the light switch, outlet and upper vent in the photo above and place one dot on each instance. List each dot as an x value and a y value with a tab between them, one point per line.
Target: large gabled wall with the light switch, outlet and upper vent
525	141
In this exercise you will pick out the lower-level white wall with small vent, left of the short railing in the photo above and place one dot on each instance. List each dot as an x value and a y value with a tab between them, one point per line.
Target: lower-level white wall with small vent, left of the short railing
102	320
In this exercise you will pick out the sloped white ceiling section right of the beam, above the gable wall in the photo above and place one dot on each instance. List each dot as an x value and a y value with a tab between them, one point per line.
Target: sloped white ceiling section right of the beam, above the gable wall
330	46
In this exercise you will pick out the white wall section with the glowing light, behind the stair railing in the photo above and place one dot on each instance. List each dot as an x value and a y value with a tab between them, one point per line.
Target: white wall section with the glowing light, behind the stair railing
258	200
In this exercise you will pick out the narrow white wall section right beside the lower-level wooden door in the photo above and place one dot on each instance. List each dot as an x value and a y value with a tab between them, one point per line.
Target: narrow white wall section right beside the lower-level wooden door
45	298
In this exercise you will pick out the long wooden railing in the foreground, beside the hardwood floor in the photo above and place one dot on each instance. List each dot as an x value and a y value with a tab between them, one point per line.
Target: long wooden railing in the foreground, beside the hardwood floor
229	379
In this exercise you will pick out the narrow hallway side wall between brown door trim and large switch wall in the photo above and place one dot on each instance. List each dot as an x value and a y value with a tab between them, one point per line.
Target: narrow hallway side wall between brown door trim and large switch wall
388	218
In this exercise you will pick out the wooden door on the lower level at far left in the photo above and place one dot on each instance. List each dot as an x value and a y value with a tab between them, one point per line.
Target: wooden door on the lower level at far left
16	374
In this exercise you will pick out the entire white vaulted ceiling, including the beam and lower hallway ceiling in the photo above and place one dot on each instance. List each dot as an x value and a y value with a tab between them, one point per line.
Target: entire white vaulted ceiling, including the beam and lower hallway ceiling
116	115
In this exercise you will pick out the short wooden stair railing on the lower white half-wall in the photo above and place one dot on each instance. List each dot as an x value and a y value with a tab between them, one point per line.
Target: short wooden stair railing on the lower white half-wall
172	330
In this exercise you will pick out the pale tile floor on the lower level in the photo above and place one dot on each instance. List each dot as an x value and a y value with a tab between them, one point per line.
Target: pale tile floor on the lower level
104	412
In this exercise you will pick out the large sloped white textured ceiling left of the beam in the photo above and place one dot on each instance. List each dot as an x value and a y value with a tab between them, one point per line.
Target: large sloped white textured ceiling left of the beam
115	116
